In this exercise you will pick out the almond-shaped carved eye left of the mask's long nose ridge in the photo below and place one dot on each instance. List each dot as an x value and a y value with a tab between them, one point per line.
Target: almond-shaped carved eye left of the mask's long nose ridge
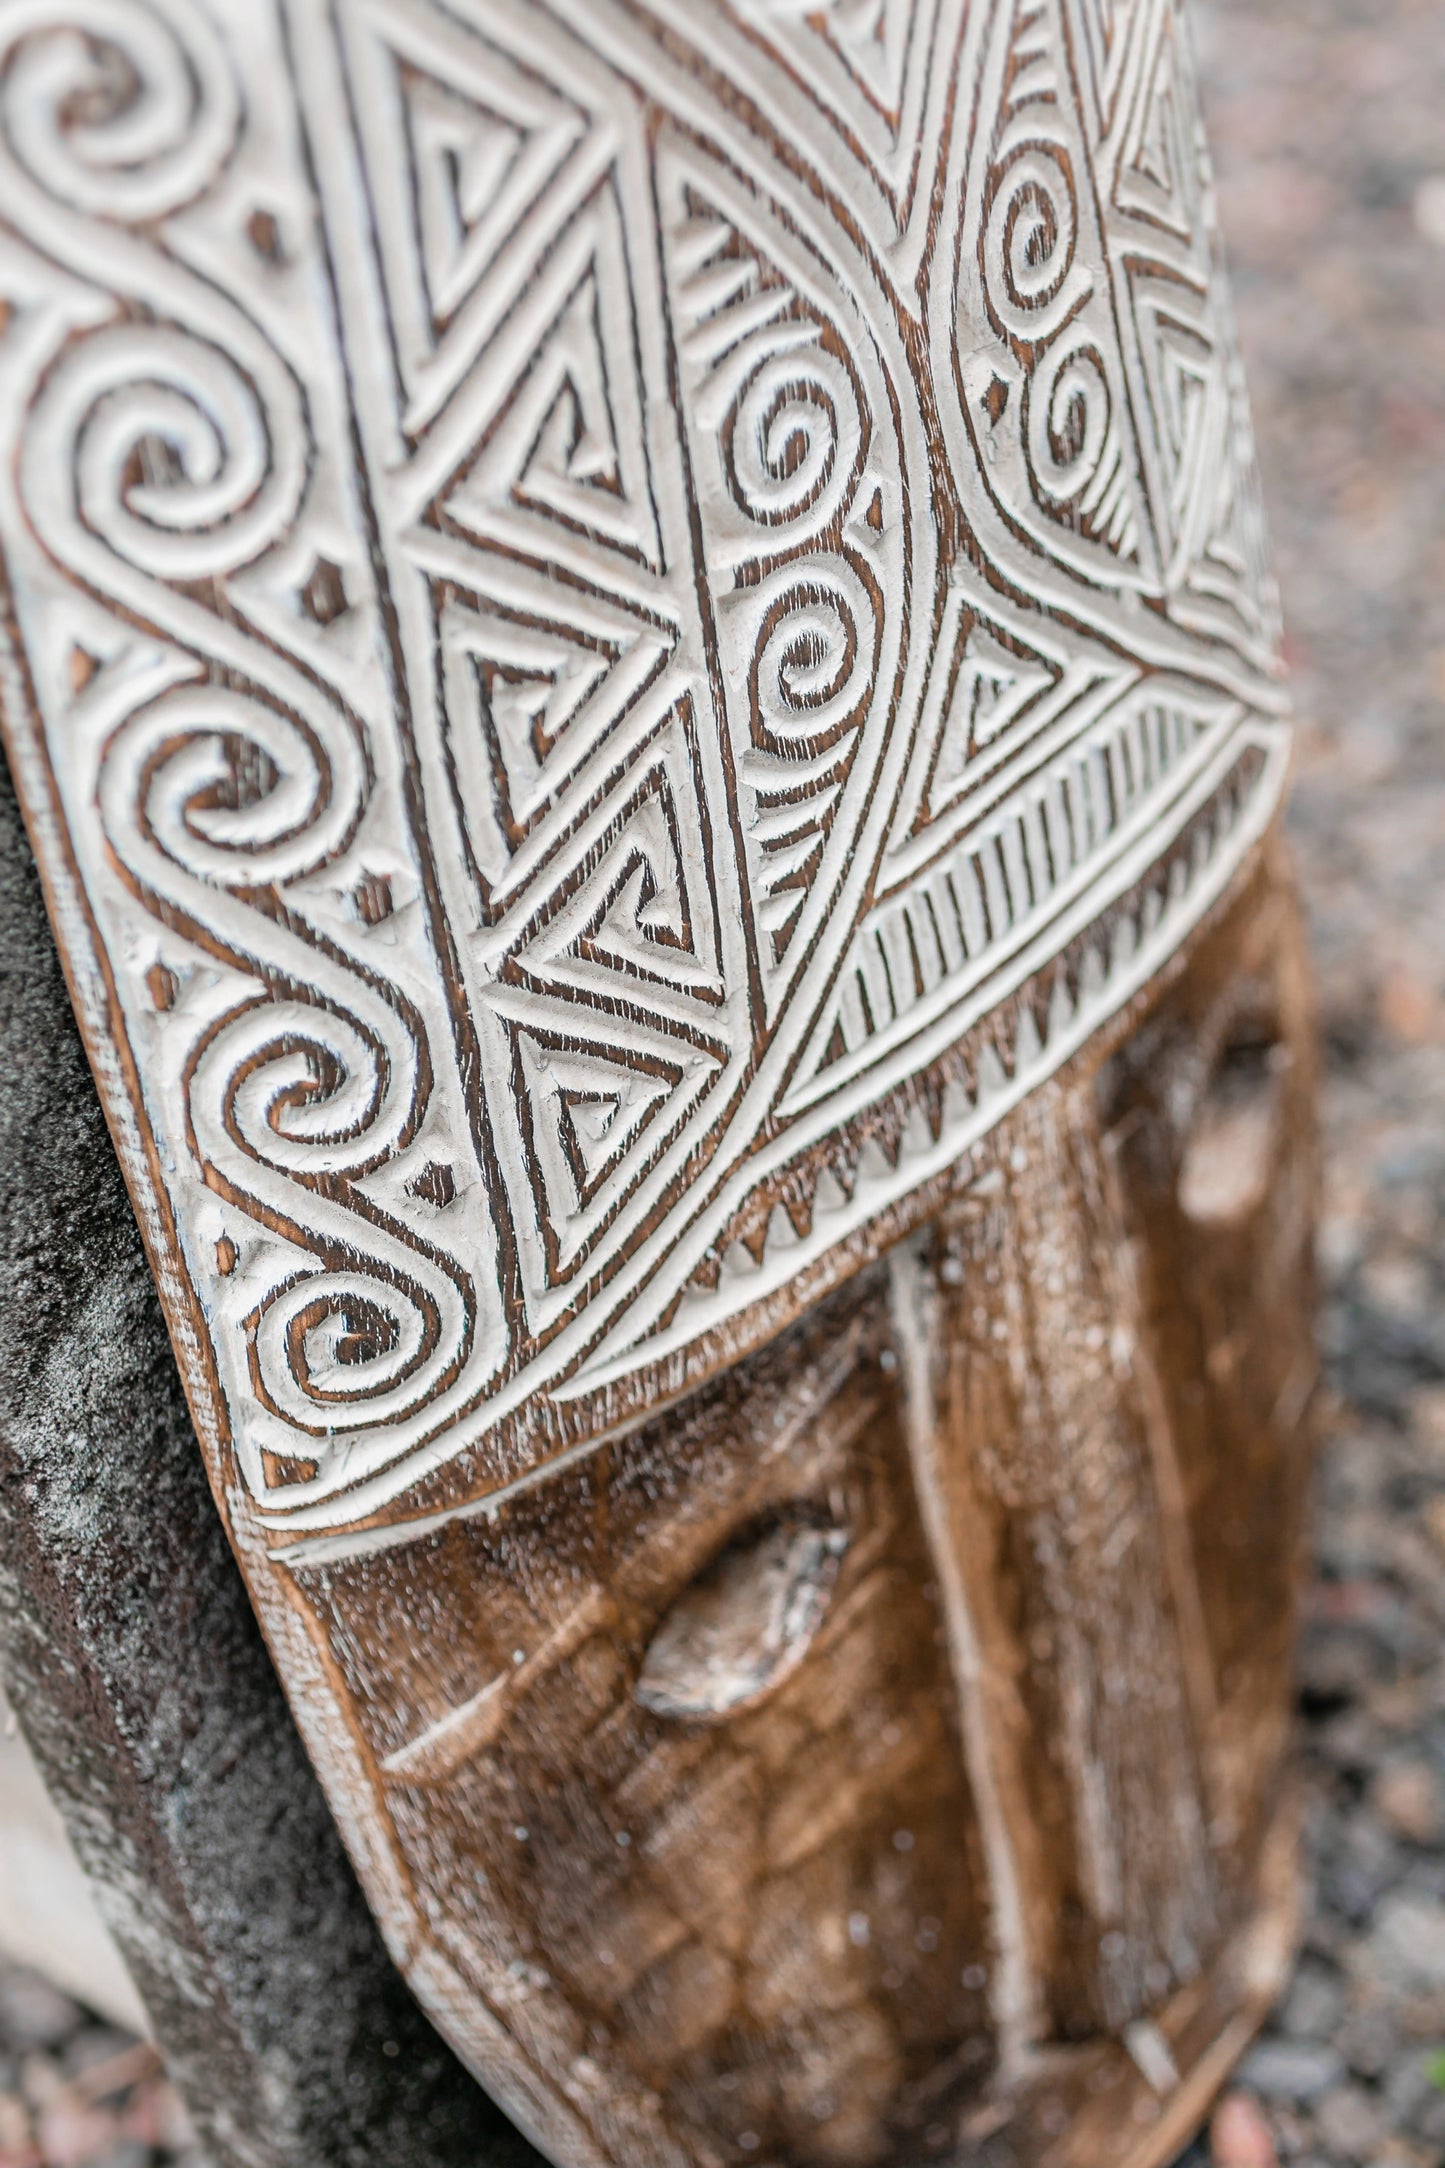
744	1625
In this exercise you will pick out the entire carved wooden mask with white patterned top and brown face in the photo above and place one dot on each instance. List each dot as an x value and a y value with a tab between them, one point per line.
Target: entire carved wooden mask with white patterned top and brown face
629	623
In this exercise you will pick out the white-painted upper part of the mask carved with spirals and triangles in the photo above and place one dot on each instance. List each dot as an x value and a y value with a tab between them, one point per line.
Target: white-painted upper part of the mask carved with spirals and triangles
564	662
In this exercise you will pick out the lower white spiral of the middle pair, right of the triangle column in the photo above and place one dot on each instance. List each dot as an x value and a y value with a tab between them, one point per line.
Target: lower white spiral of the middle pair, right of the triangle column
816	658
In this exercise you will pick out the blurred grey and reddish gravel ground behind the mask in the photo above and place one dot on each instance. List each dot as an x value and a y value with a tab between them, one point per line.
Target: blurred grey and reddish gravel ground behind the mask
1331	151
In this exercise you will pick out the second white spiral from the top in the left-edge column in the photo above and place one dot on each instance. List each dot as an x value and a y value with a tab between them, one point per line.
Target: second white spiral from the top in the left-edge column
157	446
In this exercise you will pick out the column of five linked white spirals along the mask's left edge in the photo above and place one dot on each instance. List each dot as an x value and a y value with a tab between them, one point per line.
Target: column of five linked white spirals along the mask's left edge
155	465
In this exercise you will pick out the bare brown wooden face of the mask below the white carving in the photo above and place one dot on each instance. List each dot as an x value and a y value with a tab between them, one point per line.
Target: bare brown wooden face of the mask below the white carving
1017	1790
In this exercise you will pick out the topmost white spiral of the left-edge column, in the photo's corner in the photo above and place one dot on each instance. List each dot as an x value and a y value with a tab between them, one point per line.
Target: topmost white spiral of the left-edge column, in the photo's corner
127	112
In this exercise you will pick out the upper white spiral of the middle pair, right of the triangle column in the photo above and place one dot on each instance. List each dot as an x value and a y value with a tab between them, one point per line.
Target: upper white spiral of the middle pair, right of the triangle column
796	439
